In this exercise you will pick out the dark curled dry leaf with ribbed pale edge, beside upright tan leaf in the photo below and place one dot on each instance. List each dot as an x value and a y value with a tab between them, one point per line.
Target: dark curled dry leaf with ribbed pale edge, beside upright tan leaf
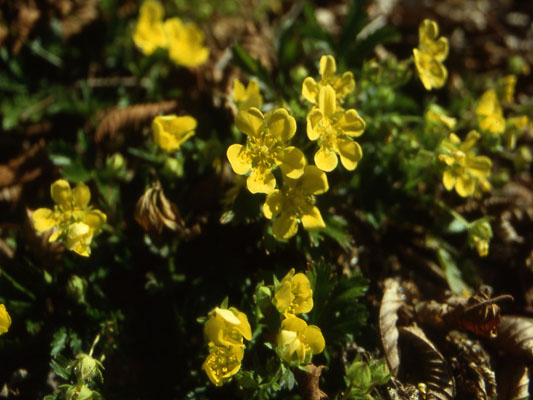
421	359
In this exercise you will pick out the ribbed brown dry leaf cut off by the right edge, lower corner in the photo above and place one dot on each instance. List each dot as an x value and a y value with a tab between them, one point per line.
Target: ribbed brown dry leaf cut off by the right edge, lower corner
515	338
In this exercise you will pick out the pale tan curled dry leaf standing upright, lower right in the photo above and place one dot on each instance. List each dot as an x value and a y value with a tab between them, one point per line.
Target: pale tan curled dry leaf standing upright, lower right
388	317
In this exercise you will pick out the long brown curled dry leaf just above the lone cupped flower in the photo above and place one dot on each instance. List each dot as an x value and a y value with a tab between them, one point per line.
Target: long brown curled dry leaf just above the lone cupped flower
133	117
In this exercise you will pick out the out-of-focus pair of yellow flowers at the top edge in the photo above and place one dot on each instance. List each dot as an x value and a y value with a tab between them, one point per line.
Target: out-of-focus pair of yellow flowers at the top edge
184	41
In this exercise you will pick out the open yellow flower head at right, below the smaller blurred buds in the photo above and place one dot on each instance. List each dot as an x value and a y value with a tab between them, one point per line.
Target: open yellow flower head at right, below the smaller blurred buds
465	171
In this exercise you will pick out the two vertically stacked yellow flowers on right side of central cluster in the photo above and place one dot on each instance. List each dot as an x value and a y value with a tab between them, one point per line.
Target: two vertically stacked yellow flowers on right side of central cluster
328	123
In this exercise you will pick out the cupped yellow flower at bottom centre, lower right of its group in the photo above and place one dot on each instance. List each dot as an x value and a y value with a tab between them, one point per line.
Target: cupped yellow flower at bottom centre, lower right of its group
298	342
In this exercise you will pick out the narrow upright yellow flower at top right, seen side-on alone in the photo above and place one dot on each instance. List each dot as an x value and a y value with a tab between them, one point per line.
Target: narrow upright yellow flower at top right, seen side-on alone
430	54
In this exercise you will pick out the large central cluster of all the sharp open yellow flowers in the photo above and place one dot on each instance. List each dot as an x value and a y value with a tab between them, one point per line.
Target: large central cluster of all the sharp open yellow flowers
267	148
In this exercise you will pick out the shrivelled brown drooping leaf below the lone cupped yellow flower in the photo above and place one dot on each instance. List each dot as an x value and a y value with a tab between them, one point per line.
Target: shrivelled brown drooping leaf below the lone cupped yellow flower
154	211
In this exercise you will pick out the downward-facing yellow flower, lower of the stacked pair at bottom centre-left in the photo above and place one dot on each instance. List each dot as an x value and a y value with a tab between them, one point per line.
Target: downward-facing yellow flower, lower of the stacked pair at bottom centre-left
222	363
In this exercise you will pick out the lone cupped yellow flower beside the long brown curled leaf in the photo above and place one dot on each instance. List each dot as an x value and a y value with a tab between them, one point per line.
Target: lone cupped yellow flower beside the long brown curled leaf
171	131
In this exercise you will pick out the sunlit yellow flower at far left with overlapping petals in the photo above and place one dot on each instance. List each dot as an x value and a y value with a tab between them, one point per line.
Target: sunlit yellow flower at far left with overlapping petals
75	222
